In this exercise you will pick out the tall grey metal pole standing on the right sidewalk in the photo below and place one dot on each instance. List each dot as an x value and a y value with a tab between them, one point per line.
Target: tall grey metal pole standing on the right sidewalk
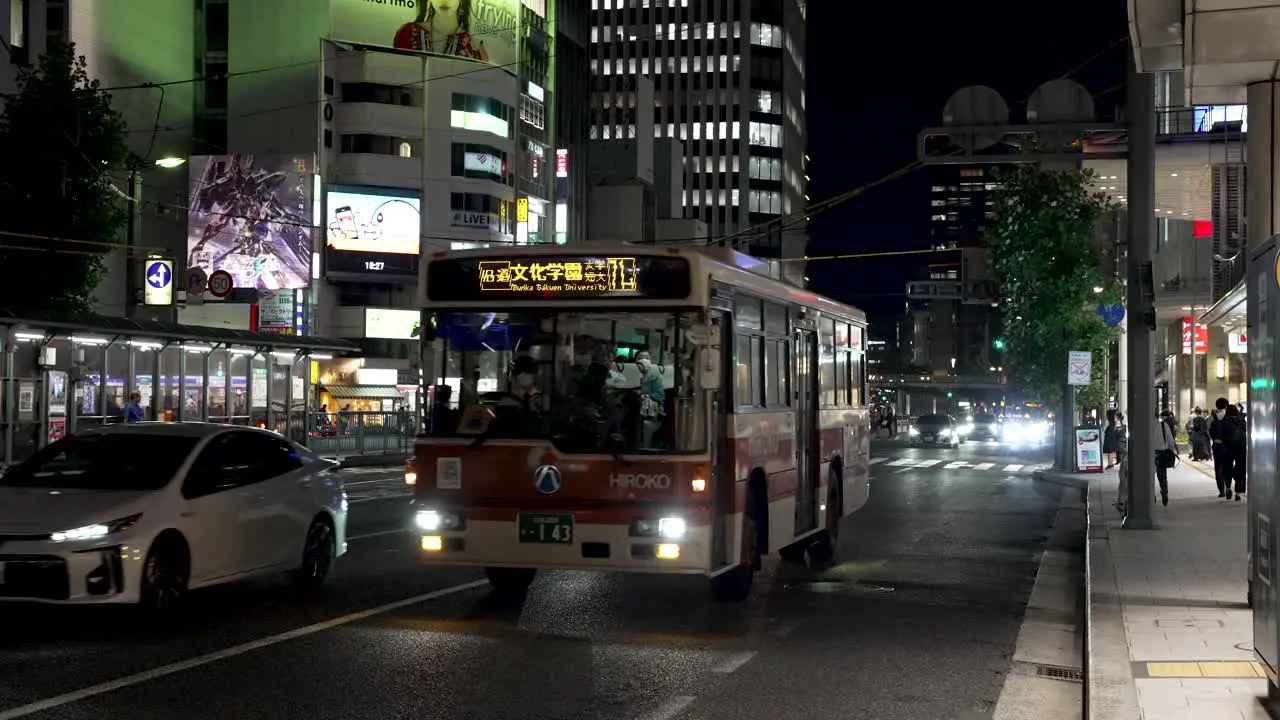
1141	297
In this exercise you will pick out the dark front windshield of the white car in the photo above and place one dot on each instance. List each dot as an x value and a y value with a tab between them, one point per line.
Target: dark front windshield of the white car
108	462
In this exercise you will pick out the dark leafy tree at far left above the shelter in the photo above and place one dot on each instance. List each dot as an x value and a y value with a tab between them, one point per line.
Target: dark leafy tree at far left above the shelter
60	139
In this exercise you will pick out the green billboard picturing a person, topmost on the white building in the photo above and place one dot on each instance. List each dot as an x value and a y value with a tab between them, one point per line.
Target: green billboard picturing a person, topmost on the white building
481	30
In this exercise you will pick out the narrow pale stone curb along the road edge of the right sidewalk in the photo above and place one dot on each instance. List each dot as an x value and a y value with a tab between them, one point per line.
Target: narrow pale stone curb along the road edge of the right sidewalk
1110	692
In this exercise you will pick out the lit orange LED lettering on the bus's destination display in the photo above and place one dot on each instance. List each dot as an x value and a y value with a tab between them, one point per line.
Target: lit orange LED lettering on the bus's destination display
561	276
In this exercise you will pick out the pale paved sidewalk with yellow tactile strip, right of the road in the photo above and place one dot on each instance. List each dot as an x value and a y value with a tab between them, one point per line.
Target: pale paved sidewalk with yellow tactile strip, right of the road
1171	635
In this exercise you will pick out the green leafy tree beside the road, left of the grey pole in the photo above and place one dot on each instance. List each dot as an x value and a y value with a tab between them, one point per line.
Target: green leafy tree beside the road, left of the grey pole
1049	266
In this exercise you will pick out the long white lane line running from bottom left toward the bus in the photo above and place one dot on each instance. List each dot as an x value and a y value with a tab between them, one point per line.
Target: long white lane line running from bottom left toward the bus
200	662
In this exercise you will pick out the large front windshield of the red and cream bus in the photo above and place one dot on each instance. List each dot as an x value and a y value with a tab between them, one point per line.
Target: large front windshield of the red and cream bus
588	382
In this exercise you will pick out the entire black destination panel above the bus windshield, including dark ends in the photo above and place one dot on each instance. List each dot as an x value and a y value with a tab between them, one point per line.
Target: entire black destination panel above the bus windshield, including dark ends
559	277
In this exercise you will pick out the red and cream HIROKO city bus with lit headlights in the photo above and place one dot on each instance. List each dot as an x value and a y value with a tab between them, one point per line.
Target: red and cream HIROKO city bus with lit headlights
641	409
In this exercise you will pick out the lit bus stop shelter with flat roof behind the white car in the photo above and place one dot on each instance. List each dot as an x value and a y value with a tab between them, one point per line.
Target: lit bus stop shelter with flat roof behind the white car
63	373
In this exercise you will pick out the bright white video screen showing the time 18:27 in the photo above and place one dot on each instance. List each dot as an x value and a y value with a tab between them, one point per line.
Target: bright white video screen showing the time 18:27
373	233
